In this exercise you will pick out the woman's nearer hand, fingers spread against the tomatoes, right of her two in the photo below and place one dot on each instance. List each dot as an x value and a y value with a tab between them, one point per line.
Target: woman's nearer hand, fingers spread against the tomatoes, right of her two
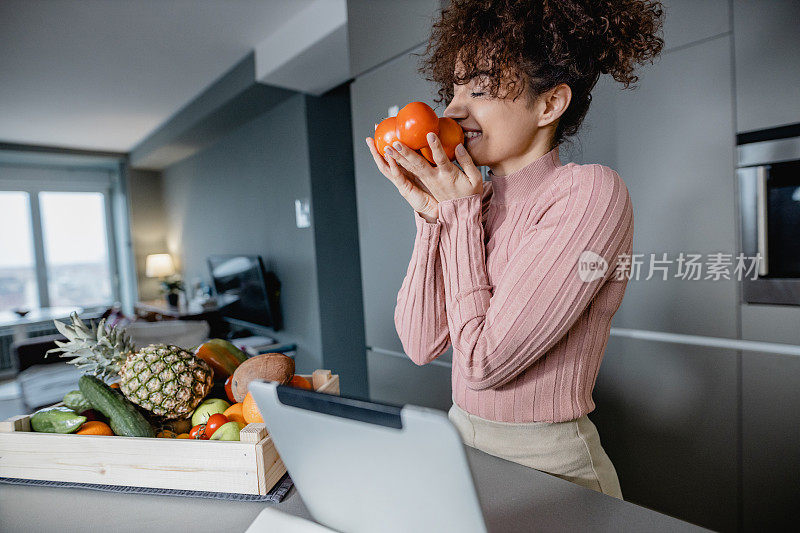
444	180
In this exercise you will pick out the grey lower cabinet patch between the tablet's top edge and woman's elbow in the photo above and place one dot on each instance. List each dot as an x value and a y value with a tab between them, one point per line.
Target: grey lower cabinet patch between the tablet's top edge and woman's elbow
396	379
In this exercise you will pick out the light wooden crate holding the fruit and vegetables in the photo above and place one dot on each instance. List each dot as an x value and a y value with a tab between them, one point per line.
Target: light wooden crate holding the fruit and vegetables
249	466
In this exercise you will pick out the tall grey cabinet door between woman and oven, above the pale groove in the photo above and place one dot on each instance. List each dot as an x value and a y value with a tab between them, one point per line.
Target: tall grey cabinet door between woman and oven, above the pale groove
671	140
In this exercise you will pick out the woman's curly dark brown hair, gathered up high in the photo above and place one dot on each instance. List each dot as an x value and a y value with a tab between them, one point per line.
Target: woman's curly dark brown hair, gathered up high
539	44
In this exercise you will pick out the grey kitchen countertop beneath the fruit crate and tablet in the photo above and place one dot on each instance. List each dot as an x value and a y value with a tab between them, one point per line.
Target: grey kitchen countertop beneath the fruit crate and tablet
514	498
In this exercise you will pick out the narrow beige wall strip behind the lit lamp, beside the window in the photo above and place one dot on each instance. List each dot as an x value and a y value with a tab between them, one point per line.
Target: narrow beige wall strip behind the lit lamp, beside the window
148	225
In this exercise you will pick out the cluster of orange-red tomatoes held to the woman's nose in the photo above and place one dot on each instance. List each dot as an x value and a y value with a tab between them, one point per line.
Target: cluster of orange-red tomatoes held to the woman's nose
411	127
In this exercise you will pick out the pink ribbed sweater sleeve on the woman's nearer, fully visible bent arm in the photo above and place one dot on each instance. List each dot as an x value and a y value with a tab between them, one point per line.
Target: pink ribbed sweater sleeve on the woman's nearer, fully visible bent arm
498	331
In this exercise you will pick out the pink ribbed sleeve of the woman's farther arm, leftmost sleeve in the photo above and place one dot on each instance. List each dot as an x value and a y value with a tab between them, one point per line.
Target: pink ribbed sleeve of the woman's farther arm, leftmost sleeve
420	318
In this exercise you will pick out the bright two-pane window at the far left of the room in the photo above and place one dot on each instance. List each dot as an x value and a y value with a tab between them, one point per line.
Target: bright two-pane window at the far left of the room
56	239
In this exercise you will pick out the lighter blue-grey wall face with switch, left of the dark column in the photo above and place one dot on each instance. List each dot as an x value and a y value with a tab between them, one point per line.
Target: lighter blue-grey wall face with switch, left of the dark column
237	197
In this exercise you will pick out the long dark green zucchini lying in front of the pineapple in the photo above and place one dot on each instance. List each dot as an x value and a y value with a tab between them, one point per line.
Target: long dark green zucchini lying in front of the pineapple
123	416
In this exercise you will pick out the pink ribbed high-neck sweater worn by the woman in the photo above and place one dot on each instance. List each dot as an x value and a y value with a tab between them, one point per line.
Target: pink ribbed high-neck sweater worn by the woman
497	275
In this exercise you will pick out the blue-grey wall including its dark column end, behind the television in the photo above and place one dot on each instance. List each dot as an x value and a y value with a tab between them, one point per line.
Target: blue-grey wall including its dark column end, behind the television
237	197
